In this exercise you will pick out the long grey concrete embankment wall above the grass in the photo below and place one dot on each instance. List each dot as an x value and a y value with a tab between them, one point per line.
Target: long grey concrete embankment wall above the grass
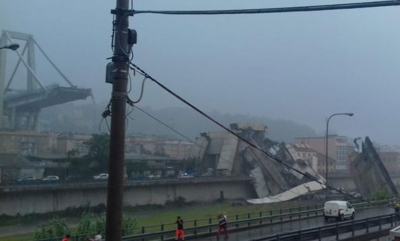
42	201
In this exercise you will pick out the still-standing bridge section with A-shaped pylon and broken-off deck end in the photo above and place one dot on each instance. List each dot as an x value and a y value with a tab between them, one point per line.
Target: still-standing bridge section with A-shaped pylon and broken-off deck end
20	108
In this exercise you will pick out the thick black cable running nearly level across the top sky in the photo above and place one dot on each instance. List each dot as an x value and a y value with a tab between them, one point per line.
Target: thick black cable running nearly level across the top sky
326	7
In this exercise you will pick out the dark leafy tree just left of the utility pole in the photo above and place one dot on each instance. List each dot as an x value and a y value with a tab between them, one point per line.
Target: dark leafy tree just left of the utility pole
99	150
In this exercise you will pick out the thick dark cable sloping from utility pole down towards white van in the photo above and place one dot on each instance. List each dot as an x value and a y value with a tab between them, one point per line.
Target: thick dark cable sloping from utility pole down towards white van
231	132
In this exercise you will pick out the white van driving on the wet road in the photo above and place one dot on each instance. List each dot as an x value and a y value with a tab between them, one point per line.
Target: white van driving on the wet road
339	210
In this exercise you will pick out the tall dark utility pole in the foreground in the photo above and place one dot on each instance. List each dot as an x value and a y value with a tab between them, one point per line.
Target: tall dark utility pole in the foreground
118	111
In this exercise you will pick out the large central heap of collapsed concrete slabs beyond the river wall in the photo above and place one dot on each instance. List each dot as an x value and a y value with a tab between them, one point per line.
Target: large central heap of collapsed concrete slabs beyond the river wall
229	156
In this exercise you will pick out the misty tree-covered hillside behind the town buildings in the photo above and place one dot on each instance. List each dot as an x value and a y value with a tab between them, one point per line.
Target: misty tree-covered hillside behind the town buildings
87	118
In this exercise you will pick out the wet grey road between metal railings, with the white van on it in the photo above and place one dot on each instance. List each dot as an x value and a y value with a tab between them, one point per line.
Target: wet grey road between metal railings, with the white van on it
294	225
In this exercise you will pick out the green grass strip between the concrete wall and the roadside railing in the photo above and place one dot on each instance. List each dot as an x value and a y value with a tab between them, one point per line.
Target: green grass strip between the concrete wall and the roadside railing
153	217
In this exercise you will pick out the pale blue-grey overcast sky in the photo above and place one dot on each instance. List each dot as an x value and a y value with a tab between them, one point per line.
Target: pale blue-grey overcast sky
295	66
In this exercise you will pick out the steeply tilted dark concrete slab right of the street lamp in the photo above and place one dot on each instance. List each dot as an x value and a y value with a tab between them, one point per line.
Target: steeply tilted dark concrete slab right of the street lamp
368	164
